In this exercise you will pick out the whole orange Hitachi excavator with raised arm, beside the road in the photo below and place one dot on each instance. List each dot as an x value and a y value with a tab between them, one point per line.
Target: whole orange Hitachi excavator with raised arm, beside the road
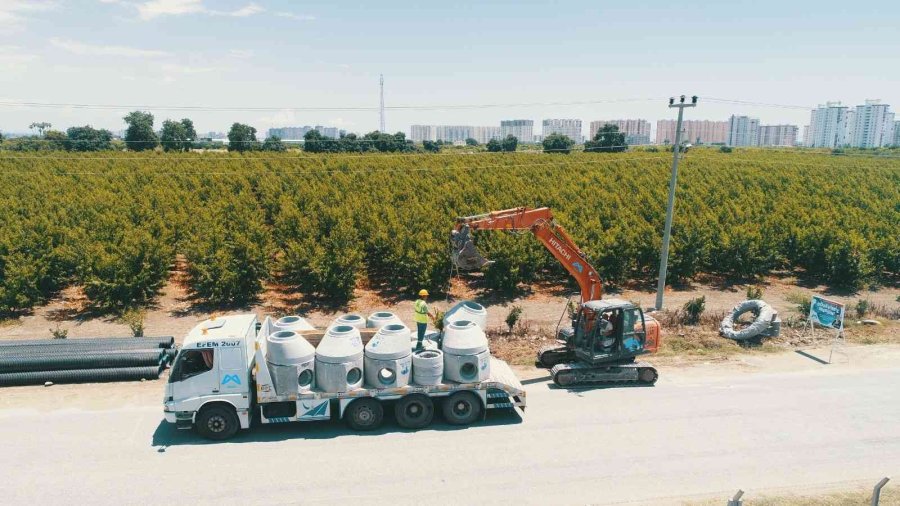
606	335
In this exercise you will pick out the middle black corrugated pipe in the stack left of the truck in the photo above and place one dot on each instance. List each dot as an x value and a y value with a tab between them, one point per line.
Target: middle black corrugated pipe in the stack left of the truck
81	361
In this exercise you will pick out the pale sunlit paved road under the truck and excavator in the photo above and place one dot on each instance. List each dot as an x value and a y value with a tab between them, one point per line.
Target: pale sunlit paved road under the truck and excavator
688	435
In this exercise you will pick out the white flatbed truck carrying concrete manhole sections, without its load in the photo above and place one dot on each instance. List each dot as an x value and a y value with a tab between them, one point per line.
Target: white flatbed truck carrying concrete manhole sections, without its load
220	380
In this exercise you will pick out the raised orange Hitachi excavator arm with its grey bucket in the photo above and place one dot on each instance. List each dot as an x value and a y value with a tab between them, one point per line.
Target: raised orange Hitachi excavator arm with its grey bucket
540	223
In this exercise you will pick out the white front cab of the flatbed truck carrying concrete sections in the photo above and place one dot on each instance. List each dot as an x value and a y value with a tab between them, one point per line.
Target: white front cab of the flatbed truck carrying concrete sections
209	385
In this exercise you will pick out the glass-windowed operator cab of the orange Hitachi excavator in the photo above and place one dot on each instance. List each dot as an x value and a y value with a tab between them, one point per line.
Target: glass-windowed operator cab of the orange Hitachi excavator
609	331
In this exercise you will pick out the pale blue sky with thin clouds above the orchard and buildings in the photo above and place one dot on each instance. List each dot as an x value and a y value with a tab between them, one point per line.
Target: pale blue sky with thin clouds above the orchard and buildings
273	60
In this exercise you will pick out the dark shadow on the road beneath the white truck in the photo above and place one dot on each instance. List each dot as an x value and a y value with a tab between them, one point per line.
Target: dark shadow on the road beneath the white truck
167	435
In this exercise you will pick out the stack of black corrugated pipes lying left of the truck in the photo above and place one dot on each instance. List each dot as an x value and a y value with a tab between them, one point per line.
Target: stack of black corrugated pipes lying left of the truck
91	360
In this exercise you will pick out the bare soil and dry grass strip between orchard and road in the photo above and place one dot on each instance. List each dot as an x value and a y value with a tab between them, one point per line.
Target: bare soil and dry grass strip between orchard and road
543	308
